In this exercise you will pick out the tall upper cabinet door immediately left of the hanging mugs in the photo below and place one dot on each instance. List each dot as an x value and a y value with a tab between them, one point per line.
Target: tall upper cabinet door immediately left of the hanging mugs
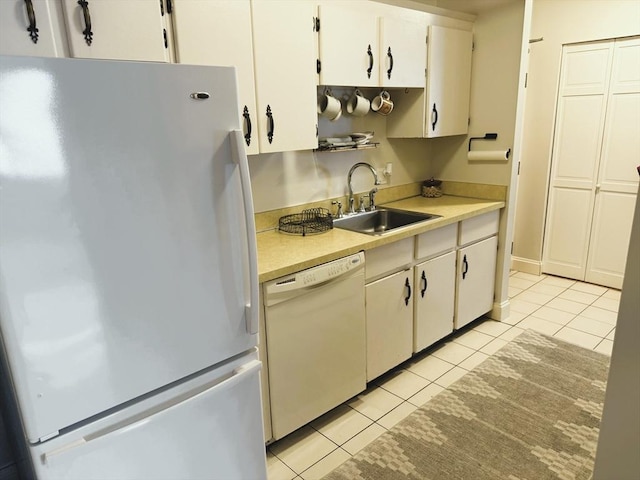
285	74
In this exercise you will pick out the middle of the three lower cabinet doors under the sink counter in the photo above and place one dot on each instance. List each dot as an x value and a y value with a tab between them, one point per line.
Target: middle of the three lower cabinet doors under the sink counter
435	282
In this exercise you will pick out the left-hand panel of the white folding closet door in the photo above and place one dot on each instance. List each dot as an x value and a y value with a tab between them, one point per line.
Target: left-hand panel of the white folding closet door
579	126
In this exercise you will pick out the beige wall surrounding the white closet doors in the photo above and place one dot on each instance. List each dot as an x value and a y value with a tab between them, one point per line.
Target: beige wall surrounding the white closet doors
558	22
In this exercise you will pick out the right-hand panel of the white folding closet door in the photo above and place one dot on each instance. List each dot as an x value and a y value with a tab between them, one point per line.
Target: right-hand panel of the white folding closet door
617	183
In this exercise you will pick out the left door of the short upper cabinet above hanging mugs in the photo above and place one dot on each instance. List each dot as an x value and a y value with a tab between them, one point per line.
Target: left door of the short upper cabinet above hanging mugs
348	46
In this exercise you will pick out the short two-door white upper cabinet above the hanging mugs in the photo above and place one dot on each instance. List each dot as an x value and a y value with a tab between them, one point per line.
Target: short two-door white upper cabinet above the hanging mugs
371	47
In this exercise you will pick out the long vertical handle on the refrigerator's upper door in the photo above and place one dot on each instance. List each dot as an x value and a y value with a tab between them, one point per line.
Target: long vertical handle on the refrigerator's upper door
239	153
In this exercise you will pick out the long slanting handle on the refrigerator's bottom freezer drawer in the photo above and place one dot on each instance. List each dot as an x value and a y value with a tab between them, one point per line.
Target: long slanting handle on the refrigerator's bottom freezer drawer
237	375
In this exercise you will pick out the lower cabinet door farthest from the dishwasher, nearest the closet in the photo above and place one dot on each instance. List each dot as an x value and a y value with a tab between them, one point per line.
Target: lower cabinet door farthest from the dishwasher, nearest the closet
476	272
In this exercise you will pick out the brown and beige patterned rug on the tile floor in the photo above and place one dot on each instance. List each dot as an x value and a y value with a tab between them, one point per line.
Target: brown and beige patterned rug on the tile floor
530	411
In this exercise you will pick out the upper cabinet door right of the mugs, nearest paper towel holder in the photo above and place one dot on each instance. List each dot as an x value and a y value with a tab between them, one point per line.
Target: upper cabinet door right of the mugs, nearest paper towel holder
448	81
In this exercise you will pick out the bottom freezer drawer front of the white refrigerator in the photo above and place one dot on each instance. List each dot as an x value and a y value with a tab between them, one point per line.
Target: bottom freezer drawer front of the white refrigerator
212	430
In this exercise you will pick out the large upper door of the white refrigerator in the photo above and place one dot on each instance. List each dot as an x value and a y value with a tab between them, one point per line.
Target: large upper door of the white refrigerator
123	231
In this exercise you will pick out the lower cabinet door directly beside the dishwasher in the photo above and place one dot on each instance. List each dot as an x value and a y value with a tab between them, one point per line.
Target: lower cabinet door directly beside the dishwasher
389	308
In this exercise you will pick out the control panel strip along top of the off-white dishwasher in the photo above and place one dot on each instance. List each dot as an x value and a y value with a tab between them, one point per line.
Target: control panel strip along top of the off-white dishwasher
316	275
